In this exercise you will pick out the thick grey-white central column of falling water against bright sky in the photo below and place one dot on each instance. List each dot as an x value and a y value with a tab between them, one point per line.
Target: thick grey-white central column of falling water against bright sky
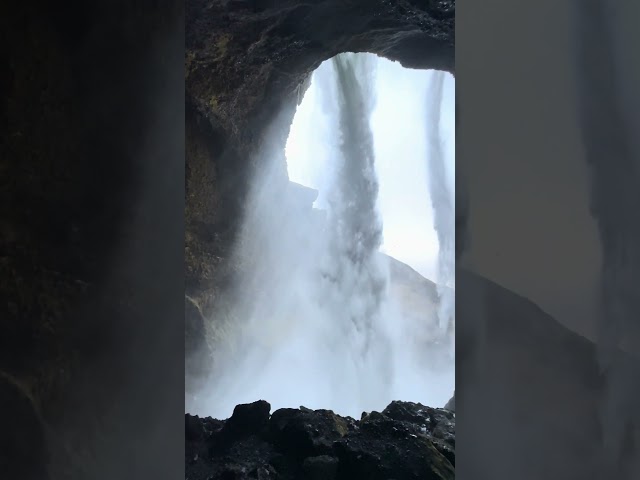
355	228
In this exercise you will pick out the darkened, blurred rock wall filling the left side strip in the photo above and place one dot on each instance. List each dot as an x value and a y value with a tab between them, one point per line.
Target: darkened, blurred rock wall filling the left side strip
85	174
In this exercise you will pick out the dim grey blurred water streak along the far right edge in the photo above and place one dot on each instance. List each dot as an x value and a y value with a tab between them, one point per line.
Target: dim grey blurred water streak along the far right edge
607	94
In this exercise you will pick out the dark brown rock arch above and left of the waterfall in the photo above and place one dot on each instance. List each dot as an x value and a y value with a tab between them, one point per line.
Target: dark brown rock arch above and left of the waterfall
248	63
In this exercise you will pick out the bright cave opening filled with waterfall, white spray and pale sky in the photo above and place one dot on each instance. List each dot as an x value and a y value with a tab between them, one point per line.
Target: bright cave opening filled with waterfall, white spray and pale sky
312	321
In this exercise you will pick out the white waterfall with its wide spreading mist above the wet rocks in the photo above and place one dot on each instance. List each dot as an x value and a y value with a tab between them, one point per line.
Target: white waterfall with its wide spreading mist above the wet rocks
310	322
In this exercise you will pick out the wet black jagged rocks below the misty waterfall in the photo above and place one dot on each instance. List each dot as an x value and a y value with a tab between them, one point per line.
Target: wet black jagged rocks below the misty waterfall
404	441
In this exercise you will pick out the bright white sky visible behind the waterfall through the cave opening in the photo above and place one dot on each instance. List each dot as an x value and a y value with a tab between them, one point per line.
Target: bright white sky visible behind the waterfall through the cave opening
398	124
